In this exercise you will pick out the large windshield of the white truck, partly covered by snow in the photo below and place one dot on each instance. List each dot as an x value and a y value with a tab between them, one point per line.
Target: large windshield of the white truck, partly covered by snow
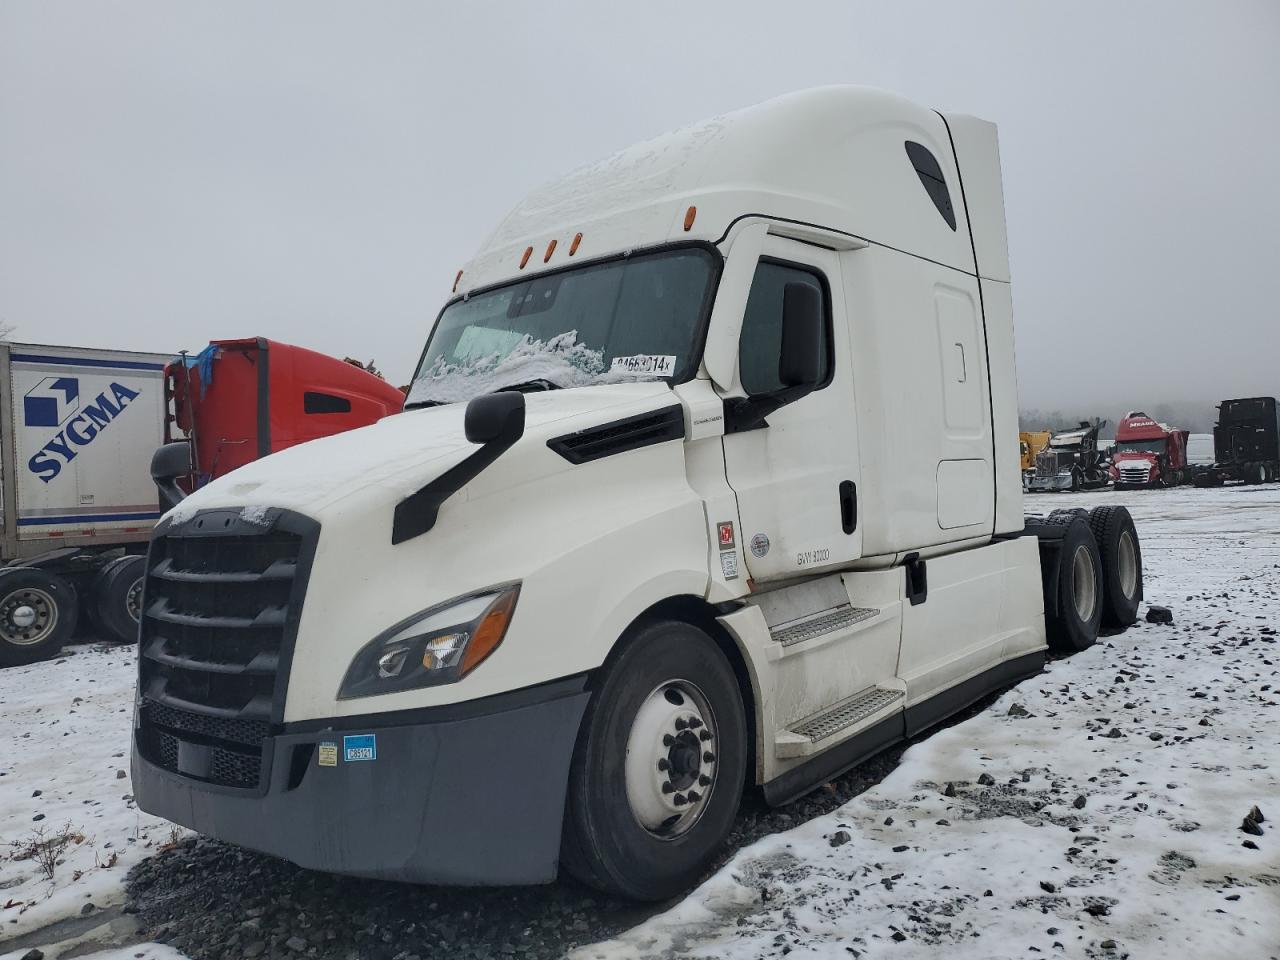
641	318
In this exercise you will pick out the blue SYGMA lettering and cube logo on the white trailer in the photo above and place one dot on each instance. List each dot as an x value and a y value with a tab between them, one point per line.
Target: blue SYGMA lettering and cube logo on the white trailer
56	403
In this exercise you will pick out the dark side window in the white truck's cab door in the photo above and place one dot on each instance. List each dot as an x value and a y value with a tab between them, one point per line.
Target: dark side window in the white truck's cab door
761	345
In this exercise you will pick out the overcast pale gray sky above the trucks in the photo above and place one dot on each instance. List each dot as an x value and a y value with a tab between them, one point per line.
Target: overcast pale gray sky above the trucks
317	172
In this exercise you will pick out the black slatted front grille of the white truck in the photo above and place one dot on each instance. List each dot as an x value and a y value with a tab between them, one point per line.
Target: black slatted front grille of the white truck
222	601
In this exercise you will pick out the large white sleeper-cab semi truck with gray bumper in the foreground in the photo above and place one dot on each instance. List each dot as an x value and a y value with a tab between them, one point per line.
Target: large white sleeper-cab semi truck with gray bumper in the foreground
708	482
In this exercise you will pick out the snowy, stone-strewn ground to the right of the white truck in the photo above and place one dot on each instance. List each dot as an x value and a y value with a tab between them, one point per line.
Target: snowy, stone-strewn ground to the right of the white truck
1098	808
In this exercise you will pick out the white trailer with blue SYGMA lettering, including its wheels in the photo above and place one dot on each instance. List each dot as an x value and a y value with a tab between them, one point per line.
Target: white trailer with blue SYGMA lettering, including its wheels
77	429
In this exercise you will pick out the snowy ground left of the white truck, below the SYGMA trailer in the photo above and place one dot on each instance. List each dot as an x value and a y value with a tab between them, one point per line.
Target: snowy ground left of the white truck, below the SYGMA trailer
65	785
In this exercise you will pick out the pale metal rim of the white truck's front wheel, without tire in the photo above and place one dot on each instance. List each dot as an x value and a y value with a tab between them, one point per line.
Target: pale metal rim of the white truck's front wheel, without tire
670	769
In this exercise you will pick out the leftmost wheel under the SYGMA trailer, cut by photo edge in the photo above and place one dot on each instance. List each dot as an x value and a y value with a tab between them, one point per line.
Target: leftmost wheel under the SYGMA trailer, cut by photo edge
38	615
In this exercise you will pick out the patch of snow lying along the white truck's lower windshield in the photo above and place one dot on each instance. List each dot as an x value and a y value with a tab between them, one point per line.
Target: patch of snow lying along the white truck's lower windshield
561	360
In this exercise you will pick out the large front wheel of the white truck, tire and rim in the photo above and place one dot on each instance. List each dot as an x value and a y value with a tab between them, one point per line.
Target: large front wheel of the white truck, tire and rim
660	766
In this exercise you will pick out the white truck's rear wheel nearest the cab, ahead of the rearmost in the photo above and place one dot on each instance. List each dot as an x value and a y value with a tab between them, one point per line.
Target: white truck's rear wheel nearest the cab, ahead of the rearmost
1077	615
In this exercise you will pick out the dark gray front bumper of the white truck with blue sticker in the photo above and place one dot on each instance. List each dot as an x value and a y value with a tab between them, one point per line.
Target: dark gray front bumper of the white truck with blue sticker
469	794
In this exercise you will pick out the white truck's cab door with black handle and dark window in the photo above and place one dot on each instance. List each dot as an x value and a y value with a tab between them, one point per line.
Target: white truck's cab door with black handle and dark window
796	472
